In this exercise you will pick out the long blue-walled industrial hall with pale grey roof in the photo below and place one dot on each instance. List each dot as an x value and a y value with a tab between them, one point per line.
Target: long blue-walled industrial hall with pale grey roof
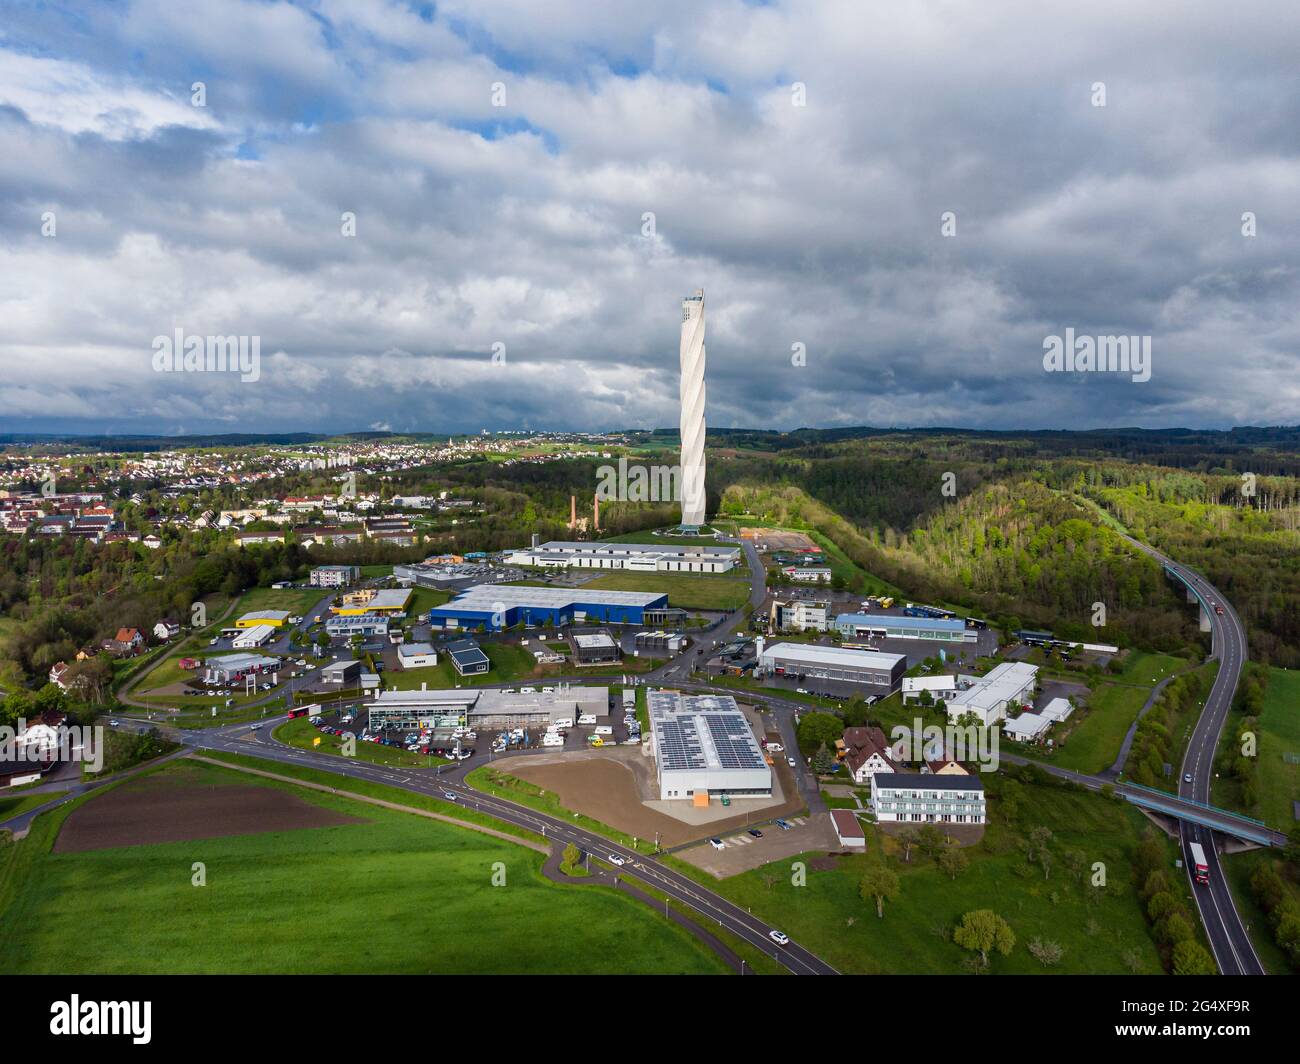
499	608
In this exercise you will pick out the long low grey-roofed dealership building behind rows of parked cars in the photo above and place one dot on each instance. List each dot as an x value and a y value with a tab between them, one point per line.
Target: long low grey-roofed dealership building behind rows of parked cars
487	708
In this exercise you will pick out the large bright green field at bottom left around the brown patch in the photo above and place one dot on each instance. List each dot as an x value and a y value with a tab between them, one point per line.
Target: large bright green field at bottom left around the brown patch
396	893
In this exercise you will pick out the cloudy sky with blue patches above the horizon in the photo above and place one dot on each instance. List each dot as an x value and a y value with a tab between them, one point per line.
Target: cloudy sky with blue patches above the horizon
554	178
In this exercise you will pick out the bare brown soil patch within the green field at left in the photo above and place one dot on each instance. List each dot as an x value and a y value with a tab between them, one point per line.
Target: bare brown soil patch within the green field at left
162	811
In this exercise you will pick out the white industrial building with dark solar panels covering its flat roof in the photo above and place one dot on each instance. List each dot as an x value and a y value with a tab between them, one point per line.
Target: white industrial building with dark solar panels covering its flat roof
705	747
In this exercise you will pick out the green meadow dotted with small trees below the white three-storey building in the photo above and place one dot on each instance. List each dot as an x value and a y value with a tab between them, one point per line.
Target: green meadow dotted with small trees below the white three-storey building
1099	936
